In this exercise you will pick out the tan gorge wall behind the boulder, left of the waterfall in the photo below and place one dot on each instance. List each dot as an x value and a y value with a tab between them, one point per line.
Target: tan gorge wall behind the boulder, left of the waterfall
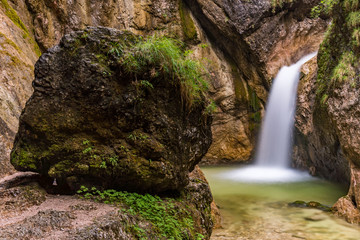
243	44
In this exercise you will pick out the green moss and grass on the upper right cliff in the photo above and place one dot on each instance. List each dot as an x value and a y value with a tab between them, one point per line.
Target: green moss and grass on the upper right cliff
338	58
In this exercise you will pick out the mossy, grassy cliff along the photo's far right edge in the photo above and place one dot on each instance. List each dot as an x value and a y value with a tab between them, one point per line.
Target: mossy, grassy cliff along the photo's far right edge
338	93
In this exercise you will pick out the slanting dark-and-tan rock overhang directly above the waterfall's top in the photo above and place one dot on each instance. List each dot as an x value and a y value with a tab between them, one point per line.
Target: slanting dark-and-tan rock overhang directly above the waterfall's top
259	37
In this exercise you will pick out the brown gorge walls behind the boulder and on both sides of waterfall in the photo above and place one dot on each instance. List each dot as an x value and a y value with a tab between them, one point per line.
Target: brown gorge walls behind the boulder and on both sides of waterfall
243	43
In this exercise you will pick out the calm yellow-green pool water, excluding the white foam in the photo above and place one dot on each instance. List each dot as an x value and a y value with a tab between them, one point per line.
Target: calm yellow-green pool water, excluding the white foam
260	211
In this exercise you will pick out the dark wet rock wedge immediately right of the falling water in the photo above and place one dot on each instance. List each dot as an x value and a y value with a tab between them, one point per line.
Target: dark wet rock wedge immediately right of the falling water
316	143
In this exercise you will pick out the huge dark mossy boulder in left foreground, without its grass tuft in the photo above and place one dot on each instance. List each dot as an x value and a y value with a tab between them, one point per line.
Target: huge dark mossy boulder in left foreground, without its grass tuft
90	122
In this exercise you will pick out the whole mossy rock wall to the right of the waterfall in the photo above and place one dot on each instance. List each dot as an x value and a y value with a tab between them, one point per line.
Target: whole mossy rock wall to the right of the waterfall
332	141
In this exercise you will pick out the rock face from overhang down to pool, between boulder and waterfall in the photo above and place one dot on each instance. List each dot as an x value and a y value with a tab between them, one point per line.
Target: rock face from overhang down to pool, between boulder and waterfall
256	39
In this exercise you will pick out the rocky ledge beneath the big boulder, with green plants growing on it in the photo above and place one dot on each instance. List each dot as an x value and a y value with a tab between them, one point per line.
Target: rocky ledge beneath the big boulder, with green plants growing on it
28	212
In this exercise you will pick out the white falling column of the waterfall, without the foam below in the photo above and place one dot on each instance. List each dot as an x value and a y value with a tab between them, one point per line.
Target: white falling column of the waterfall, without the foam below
275	137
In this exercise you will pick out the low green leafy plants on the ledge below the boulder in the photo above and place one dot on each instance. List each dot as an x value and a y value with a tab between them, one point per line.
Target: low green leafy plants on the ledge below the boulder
169	221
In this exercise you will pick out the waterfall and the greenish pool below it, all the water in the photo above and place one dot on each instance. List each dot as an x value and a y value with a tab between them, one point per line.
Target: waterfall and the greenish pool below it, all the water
254	199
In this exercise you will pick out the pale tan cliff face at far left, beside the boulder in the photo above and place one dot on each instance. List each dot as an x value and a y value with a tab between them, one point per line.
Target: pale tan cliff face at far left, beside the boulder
18	53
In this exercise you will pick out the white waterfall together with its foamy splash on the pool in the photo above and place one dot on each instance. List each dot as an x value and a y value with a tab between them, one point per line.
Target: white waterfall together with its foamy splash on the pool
273	152
